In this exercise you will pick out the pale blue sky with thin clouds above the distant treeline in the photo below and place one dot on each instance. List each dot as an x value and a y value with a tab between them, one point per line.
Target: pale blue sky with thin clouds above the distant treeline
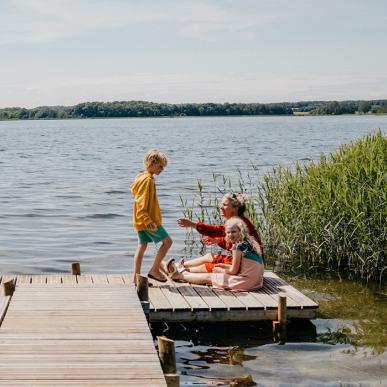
63	52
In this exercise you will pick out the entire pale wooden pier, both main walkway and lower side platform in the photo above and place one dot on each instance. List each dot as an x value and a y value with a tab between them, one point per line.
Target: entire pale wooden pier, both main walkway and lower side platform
90	329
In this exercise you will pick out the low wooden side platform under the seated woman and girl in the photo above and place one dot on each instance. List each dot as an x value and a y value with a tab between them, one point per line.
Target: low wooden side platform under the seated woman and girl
182	302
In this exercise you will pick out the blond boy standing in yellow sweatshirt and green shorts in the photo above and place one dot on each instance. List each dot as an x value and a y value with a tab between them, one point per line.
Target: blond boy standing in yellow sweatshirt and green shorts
147	215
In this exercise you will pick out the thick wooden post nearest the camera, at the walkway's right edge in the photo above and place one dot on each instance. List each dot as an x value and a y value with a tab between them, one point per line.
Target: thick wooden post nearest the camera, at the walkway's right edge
167	357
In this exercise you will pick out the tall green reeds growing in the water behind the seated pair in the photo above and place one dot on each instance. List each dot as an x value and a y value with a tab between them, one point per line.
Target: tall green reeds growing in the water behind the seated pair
326	216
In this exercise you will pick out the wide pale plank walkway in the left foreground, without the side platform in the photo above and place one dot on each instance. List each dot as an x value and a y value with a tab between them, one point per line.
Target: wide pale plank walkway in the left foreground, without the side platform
85	331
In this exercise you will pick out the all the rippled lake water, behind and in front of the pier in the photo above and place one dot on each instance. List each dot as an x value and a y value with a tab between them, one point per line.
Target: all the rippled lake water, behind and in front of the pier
64	196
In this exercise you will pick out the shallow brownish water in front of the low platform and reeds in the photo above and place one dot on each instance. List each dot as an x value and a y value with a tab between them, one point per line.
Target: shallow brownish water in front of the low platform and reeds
344	346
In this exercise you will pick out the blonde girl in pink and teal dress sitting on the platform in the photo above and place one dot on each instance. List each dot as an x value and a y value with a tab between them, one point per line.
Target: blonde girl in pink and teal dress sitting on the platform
245	273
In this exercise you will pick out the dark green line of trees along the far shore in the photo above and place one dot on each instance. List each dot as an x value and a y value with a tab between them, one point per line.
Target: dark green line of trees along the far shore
126	109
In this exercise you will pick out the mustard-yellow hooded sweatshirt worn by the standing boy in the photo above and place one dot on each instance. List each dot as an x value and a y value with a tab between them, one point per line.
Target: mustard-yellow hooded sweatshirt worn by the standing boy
146	207
